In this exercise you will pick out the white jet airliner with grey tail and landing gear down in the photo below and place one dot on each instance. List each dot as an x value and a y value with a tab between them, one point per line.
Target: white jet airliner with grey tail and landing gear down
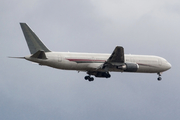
94	64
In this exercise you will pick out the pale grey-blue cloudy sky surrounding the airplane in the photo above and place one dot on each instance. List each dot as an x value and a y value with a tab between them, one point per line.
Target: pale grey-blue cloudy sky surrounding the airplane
29	91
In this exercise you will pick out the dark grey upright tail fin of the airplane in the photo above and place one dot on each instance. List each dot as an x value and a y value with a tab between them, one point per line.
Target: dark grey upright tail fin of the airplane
33	42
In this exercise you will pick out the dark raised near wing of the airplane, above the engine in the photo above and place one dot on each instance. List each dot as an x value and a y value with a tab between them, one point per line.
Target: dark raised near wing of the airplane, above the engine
116	58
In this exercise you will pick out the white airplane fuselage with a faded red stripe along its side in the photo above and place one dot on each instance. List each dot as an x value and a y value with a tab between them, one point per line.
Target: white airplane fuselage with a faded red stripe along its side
91	61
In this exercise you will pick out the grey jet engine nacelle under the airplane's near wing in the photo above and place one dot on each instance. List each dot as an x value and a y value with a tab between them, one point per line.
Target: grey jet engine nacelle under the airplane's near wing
129	67
